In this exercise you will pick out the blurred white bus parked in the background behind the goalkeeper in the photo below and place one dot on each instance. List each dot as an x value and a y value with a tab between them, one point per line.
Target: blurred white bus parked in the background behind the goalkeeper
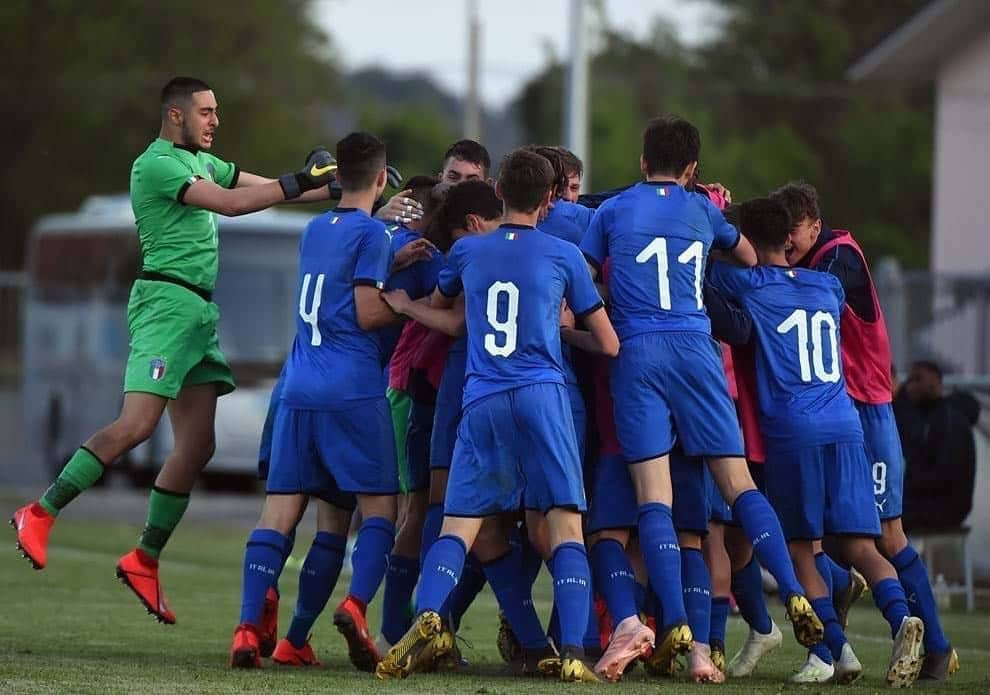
80	267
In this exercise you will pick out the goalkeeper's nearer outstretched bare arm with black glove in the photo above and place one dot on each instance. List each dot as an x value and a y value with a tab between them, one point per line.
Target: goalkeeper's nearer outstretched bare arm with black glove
241	200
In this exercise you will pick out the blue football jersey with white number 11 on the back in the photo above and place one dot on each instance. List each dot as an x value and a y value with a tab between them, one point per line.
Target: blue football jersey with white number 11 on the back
657	236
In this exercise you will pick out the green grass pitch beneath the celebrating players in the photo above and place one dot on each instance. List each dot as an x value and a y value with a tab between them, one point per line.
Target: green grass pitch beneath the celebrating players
73	628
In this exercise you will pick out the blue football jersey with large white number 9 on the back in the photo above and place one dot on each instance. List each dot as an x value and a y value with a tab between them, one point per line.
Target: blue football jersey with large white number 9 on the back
514	280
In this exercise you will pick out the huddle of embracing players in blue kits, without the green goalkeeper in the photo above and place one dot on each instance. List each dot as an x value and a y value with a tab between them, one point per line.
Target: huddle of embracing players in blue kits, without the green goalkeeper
442	373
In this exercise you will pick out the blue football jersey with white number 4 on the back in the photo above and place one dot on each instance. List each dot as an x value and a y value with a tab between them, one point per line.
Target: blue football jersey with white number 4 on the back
332	360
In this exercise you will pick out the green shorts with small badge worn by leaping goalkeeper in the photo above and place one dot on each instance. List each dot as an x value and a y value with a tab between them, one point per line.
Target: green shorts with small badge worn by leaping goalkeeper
174	341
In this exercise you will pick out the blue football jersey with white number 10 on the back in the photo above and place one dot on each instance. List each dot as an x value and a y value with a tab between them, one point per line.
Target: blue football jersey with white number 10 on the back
799	381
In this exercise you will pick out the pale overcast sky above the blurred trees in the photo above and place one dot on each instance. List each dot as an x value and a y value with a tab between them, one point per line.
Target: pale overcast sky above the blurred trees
516	35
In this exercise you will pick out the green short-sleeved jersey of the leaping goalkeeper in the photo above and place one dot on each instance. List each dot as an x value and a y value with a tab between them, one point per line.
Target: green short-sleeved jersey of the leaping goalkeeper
177	239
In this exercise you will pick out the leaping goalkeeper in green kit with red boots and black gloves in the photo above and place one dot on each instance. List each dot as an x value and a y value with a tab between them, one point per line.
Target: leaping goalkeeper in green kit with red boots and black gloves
175	363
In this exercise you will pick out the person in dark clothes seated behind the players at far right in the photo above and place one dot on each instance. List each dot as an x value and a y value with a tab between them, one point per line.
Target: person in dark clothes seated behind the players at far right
939	449
